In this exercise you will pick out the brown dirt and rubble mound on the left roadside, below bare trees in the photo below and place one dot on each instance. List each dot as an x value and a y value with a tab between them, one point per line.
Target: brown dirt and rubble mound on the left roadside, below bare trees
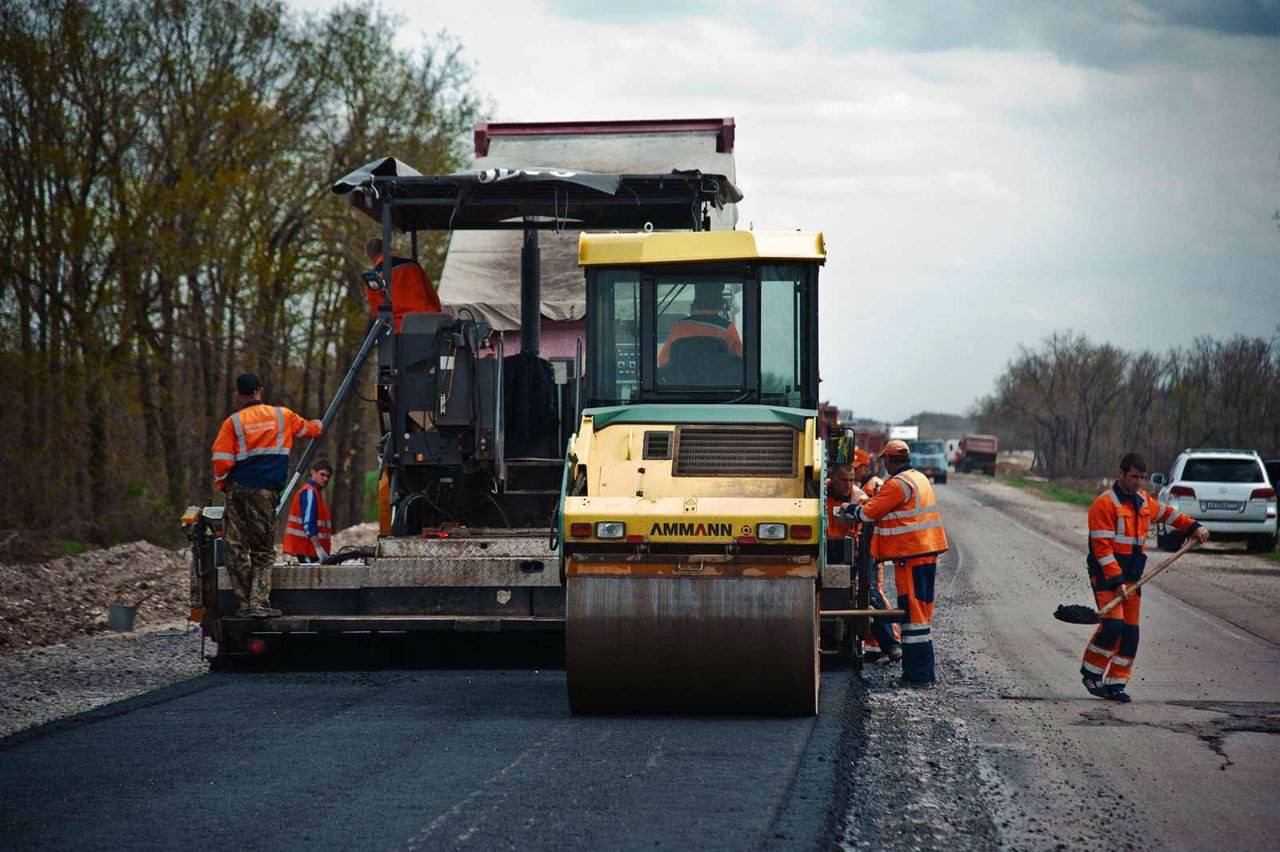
53	602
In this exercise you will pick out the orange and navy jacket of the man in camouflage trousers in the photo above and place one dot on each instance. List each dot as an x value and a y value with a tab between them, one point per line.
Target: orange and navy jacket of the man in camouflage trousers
253	446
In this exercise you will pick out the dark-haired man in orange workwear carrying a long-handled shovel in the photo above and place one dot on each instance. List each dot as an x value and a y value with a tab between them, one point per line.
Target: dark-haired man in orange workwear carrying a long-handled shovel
1119	520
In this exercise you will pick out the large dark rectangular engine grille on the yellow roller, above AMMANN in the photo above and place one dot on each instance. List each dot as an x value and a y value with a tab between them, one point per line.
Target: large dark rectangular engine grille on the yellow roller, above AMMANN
735	451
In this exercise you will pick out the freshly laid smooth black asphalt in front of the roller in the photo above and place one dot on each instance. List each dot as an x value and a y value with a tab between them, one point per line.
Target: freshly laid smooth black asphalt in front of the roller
415	761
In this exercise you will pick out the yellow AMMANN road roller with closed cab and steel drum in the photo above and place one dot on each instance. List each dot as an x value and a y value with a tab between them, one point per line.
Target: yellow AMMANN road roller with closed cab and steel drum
692	526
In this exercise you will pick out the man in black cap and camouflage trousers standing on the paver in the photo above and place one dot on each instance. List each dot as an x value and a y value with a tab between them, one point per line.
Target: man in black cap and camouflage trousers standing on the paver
252	464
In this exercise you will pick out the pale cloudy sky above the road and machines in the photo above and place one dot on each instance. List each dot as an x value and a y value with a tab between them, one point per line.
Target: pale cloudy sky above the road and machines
985	171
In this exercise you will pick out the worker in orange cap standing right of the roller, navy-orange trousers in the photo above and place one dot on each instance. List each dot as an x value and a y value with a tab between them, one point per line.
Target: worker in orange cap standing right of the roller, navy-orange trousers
909	533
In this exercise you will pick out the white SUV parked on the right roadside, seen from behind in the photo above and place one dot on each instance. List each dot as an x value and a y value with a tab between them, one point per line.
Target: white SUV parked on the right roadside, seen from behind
1228	492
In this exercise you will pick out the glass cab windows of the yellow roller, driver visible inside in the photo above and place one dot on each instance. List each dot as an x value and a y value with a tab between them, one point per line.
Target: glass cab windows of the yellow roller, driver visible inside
708	333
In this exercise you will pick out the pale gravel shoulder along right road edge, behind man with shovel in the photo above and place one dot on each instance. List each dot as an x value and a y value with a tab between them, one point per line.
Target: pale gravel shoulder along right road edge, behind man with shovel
1219	579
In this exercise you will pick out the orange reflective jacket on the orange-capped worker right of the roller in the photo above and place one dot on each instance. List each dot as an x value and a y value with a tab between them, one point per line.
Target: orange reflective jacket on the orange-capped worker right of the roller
908	523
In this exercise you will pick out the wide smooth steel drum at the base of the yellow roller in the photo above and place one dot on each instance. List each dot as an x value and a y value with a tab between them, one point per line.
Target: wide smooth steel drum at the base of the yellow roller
728	645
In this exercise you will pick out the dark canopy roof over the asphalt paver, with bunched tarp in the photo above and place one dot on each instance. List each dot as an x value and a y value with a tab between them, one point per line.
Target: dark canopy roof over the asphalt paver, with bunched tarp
560	199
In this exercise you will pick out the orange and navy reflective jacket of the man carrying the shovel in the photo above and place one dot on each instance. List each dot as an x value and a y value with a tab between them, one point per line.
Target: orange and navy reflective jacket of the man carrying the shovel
1118	534
